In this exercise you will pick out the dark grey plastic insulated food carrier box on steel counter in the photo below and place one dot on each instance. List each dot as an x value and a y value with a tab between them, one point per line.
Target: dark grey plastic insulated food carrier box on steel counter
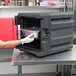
55	32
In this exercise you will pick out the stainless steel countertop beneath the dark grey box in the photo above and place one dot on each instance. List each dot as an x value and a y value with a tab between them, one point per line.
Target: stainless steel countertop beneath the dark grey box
22	58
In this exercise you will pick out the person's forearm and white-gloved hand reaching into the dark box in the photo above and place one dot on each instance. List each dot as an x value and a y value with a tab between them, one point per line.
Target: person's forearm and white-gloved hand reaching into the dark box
14	43
